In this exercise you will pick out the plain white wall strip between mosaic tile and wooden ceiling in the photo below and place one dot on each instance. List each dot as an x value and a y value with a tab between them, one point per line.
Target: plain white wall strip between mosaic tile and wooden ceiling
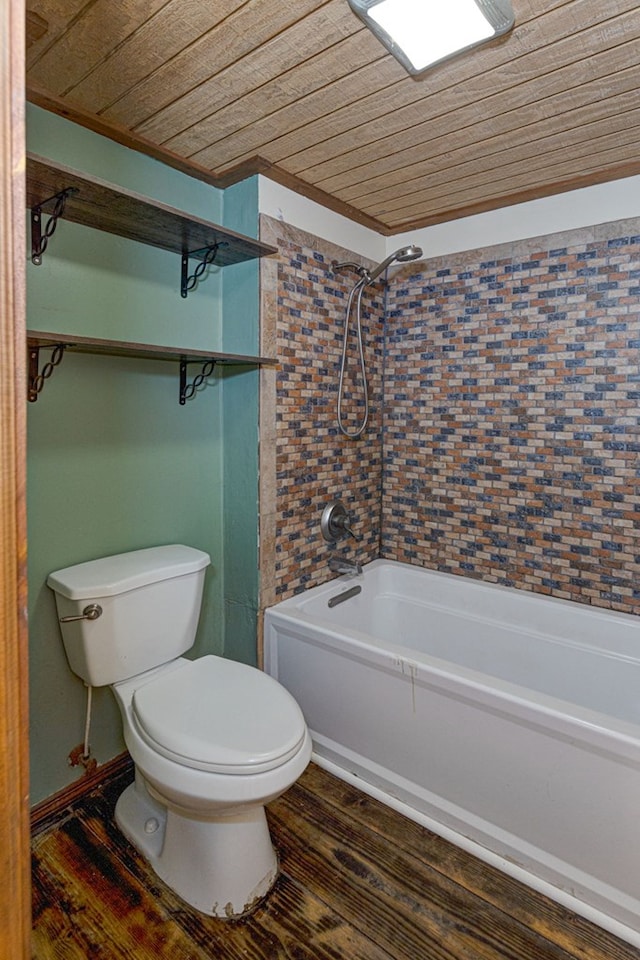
602	203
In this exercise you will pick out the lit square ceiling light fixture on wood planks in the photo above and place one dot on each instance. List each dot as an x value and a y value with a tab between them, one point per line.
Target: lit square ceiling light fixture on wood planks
420	33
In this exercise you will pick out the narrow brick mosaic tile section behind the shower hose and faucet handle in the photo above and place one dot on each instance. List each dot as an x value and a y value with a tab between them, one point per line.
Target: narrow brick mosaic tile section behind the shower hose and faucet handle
315	464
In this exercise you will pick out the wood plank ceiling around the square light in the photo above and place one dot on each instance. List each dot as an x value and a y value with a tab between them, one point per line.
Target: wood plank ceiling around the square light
303	93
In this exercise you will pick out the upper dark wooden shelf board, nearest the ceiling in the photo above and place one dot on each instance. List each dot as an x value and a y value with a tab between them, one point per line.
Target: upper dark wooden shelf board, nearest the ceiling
96	203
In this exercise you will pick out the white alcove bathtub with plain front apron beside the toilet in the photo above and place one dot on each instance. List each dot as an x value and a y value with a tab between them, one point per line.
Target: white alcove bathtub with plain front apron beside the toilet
505	721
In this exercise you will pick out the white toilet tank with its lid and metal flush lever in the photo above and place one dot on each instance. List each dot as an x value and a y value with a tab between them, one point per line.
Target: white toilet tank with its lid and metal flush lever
150	606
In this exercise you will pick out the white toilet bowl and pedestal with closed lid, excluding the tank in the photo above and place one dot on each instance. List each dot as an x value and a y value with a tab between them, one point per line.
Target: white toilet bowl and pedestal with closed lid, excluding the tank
212	743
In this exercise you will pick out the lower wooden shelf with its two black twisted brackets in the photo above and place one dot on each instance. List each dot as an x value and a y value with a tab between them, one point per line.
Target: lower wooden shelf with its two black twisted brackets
62	342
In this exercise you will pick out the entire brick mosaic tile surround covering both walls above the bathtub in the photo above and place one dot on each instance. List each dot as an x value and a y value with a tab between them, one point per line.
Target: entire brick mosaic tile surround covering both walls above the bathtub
509	445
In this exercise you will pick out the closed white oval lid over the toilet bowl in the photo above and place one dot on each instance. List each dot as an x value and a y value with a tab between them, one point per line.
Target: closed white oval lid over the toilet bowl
218	715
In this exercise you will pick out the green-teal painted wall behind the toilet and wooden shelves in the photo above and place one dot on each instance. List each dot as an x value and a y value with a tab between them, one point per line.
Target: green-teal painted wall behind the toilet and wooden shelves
114	462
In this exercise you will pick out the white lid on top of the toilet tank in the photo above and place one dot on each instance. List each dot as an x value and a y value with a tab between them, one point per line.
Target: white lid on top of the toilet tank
110	576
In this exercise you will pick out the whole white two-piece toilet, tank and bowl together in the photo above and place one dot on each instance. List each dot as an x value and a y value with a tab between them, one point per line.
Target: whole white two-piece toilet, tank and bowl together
212	740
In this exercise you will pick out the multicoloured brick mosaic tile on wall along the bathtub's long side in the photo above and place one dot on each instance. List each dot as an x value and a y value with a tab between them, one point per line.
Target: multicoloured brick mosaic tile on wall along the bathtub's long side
511	421
